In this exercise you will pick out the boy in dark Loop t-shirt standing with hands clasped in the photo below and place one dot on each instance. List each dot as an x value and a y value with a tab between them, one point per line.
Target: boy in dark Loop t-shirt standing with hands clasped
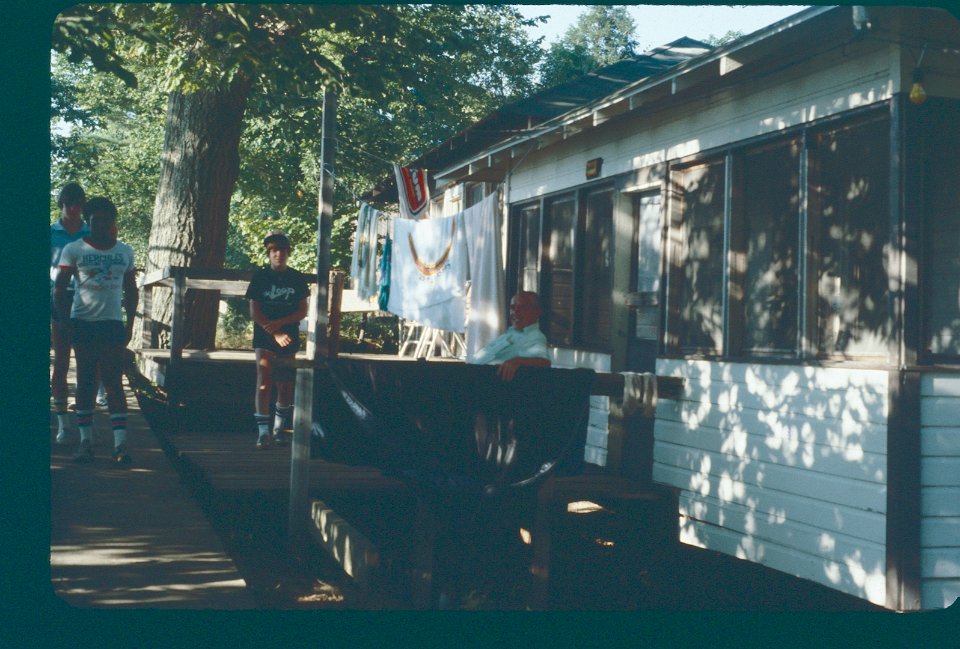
278	302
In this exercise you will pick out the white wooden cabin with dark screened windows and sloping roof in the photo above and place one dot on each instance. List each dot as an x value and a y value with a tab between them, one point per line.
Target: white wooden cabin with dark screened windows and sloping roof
777	221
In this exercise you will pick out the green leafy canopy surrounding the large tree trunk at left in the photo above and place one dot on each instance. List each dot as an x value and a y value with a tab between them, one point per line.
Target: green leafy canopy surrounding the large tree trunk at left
409	77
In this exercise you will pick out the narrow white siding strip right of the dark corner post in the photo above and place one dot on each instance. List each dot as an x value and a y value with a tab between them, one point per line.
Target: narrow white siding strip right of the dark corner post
940	489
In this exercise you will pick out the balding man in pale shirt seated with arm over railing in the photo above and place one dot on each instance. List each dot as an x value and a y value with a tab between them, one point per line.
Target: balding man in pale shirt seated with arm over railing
522	344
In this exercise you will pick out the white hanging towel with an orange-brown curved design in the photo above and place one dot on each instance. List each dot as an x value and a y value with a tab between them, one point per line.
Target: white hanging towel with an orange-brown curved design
428	272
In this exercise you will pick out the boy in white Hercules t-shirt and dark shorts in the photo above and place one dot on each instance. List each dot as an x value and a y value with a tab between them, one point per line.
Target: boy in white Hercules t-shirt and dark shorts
105	288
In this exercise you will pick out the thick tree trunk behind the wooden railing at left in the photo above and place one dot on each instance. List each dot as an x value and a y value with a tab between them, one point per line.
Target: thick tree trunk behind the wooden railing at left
198	171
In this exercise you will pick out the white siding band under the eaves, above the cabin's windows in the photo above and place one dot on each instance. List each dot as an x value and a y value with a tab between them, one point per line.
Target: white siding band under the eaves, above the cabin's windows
827	86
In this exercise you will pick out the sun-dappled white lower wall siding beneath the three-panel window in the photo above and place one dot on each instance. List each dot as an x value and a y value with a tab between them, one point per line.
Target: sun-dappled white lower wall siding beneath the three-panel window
782	465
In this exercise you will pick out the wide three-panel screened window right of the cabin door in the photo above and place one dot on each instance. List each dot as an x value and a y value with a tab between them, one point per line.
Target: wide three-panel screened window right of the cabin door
778	279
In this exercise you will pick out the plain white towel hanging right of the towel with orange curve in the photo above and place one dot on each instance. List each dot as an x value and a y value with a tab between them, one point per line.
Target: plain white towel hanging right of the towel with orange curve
487	300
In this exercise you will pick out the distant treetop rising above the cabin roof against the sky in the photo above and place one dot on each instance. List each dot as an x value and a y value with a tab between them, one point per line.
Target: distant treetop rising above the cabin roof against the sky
602	35
